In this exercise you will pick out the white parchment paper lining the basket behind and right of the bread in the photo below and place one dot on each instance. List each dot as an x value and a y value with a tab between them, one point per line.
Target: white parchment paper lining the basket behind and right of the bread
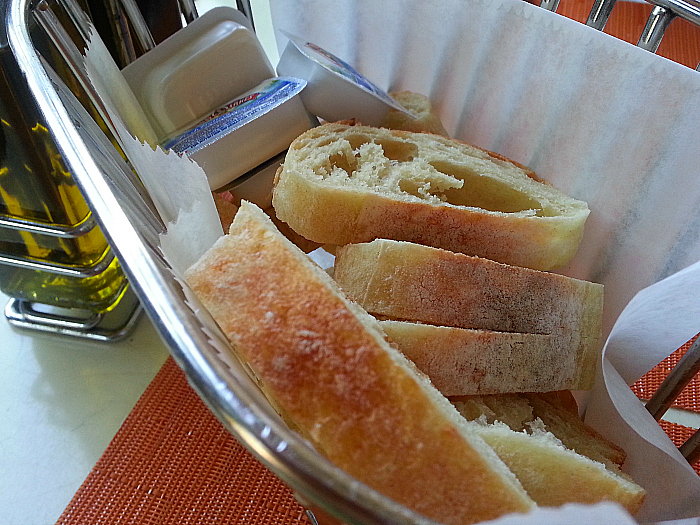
605	121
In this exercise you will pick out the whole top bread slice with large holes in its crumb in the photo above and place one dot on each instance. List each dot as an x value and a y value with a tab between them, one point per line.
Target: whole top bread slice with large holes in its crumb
344	184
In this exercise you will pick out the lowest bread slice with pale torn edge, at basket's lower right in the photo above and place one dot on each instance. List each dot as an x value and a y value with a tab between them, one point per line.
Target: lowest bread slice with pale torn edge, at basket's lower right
551	471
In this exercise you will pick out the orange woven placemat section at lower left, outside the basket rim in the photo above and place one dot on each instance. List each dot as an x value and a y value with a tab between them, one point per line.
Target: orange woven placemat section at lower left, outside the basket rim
172	462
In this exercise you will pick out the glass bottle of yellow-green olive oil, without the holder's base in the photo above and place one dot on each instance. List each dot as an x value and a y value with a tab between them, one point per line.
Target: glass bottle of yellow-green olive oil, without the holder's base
52	251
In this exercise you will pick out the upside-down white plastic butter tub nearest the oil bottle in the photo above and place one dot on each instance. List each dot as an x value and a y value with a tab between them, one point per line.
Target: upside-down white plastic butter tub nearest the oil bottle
199	68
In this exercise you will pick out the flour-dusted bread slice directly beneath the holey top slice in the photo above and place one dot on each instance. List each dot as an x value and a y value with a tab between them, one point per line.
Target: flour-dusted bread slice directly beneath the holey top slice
406	281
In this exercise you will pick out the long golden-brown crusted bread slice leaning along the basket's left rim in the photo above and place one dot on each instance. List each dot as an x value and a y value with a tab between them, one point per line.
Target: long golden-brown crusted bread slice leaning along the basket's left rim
328	368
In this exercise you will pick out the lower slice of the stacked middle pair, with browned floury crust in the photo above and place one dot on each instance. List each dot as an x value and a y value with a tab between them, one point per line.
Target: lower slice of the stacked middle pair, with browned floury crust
463	362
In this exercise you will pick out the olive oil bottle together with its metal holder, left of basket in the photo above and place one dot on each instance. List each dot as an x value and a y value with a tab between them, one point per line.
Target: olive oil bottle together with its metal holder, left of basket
55	263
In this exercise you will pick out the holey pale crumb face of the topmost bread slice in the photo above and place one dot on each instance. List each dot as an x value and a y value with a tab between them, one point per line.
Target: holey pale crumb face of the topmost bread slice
424	167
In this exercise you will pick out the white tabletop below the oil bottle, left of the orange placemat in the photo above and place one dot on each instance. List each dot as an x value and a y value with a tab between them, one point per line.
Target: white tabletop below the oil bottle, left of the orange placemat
61	402
